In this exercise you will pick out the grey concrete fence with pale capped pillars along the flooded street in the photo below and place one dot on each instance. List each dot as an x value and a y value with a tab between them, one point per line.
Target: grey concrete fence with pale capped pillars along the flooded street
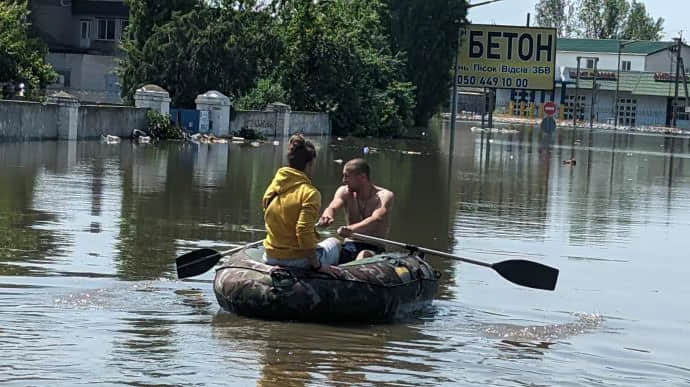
62	117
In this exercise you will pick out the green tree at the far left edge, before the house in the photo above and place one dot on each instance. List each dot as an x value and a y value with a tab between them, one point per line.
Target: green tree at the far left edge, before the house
22	56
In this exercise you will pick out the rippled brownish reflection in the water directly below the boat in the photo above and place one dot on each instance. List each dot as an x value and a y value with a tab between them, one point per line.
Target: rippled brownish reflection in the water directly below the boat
295	355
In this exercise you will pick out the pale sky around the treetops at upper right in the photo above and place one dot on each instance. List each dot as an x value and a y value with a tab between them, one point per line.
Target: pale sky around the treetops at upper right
514	12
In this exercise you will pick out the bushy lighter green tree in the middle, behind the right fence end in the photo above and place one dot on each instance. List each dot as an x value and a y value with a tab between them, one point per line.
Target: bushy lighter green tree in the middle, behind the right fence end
338	59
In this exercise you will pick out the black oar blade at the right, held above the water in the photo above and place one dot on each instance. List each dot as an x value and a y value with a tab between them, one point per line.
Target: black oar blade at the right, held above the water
528	273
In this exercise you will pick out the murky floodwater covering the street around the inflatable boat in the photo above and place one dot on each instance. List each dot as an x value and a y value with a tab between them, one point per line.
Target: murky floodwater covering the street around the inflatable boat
90	232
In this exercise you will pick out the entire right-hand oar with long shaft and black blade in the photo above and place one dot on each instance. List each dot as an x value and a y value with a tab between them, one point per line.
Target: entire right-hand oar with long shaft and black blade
518	271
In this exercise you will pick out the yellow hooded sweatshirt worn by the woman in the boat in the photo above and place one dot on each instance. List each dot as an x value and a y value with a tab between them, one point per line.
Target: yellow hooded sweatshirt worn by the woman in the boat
291	209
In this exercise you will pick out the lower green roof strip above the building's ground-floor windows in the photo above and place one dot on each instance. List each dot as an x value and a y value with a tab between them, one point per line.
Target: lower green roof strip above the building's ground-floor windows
637	83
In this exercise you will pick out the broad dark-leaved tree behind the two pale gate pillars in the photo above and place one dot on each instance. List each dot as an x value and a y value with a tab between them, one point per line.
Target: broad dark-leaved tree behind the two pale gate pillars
226	47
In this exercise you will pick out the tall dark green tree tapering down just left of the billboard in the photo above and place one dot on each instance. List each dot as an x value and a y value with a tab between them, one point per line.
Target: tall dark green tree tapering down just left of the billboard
425	33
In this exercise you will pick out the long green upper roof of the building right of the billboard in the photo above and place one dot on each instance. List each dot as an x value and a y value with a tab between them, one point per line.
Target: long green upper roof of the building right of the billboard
641	47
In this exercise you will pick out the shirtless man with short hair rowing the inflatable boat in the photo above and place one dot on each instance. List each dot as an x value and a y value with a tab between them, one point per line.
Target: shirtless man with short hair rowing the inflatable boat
366	208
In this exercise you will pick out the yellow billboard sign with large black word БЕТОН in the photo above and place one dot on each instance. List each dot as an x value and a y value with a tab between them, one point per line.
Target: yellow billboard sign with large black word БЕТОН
507	57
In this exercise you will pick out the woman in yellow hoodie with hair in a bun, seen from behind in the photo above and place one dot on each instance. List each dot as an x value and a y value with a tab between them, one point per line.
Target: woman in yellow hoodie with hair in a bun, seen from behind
291	210
